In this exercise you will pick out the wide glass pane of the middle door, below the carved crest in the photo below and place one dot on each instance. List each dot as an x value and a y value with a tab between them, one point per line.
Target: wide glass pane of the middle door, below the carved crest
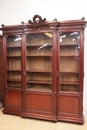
39	62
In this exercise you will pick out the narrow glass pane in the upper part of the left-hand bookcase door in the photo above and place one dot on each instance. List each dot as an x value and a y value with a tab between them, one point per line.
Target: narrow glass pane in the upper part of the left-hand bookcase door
14	61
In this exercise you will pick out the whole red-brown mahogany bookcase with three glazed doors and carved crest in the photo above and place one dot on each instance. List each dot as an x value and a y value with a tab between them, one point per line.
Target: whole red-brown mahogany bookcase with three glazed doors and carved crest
38	84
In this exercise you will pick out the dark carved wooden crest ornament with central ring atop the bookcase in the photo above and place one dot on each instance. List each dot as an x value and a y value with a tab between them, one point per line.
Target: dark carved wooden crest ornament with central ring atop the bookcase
38	22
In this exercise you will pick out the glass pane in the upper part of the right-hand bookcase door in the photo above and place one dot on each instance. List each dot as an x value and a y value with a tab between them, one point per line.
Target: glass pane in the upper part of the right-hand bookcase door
69	61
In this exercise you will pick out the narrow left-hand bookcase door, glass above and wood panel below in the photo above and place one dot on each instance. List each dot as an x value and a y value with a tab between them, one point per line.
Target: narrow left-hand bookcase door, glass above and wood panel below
13	72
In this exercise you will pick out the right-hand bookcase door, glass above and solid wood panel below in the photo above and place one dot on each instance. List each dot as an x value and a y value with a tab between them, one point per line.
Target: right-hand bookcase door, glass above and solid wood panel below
69	100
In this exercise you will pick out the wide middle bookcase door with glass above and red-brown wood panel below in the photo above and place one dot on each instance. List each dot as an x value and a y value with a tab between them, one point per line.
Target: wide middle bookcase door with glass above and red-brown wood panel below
39	96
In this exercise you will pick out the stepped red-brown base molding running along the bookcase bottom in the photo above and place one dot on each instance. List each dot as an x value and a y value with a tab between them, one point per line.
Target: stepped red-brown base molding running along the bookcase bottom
53	118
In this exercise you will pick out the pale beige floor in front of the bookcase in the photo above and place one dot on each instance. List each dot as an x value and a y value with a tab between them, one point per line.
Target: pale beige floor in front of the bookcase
12	122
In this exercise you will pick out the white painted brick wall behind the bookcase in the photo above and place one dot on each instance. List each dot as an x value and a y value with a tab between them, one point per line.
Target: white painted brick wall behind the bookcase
15	11
